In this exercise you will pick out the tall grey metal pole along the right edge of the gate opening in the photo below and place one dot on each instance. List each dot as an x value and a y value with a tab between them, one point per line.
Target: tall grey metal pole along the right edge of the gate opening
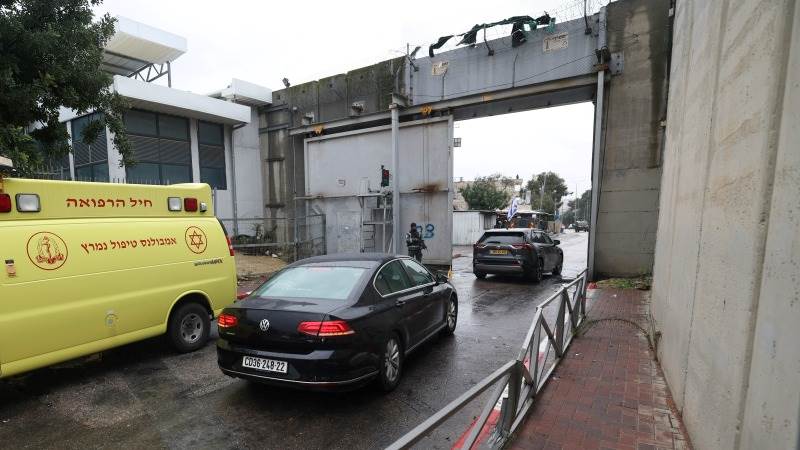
597	151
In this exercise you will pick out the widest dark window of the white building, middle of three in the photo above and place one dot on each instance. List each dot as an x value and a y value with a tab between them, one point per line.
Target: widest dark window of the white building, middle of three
161	148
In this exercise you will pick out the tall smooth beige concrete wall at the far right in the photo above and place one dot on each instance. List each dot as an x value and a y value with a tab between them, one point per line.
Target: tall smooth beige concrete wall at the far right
726	295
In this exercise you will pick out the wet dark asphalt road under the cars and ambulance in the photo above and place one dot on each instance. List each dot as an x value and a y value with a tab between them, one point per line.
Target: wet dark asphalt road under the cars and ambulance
144	396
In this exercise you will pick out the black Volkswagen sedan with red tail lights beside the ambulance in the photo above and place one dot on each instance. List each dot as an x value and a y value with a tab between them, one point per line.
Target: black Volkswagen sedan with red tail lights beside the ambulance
337	321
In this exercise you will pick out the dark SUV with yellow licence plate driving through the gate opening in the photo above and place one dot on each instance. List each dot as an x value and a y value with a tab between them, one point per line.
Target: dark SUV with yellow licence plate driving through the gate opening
520	251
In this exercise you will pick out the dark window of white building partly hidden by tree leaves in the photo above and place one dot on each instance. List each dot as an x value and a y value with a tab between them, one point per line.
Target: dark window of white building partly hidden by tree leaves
91	160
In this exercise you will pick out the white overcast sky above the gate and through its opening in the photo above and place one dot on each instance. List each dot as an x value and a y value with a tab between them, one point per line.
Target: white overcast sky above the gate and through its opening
263	42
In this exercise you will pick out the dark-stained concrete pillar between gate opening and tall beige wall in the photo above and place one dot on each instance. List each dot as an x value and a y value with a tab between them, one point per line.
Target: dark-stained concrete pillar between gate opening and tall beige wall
635	106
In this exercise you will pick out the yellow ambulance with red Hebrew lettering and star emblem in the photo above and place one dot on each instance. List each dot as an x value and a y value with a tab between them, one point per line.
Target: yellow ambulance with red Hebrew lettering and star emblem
91	266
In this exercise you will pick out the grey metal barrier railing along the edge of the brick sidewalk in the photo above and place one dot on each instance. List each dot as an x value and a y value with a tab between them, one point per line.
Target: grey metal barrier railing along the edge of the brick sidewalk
519	380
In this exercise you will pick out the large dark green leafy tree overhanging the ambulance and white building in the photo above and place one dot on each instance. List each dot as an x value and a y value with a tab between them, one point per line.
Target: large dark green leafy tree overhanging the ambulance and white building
50	55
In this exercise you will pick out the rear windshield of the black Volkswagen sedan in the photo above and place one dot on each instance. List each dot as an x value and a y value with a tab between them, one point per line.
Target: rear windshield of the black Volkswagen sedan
327	283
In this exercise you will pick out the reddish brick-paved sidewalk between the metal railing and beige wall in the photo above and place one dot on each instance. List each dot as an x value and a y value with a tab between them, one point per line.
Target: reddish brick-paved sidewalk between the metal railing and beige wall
609	392
